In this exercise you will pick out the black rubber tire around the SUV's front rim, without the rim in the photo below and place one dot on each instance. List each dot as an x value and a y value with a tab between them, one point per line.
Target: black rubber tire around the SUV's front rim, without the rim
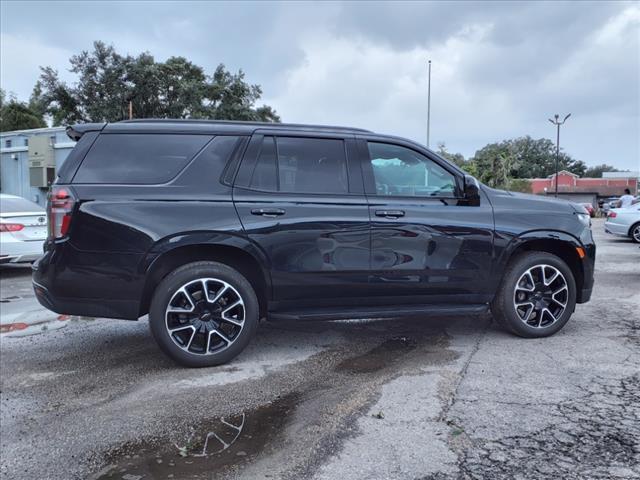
503	305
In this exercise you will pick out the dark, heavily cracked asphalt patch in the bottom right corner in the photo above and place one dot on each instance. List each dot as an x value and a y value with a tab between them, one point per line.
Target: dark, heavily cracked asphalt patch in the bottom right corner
591	439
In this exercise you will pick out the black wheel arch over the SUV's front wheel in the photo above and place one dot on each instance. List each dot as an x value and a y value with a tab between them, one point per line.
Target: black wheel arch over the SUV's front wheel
560	244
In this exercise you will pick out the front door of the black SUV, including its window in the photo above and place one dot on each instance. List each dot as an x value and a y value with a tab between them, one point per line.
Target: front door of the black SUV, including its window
427	243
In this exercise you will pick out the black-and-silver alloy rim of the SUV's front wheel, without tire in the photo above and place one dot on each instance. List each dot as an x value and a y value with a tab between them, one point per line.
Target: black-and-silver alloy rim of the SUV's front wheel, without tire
541	296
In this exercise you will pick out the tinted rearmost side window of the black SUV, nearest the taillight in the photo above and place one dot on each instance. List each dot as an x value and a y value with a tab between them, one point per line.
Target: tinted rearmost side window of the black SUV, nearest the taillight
138	158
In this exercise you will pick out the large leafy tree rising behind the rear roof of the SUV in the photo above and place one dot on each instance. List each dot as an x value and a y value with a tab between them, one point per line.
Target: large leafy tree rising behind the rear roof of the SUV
176	88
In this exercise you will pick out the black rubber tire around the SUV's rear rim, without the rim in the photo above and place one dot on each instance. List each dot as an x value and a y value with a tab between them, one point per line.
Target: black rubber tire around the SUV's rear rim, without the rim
169	287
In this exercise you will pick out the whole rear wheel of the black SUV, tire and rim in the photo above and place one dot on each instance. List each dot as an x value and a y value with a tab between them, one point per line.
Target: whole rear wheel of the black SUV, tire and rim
203	314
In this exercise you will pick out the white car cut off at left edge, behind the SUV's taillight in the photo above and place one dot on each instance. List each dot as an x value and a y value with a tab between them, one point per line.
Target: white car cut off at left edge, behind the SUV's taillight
23	229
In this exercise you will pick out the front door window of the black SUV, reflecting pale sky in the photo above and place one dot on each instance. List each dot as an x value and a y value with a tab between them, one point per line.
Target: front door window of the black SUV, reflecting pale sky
400	171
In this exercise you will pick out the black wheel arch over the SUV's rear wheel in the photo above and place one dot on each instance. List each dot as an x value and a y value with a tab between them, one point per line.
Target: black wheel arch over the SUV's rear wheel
230	250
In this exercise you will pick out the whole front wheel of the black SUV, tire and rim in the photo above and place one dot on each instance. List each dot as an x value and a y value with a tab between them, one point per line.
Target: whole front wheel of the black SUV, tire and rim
537	295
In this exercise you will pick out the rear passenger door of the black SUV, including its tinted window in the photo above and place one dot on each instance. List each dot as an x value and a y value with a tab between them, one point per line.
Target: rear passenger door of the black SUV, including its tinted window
300	199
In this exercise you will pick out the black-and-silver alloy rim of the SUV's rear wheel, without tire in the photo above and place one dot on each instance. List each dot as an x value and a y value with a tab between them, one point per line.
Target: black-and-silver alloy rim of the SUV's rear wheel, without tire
205	316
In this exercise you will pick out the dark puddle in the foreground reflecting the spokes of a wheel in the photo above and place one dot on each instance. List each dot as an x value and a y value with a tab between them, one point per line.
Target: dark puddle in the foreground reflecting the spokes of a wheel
213	447
